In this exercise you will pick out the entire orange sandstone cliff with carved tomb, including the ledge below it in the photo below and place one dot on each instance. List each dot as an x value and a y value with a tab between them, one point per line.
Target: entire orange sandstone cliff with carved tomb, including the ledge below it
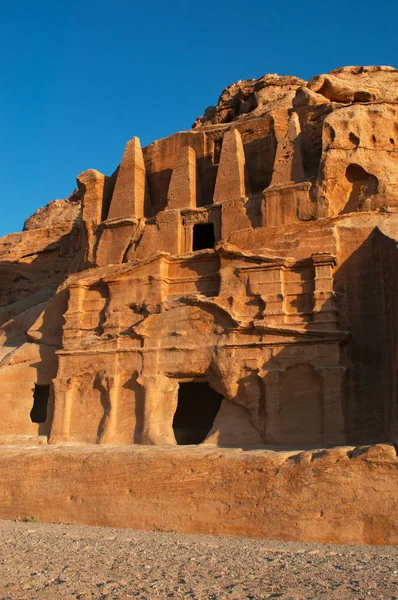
234	285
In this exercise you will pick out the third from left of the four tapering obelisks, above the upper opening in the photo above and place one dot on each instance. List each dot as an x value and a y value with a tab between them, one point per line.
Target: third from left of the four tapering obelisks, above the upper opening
231	176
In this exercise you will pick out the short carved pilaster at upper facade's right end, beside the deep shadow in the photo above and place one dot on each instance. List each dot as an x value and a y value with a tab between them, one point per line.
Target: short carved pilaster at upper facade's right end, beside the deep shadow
324	311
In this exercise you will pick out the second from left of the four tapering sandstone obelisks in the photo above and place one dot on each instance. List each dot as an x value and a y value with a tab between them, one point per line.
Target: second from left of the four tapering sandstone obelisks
184	188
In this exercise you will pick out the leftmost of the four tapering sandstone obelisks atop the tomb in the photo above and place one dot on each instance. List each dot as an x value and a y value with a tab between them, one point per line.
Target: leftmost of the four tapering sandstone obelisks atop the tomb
131	194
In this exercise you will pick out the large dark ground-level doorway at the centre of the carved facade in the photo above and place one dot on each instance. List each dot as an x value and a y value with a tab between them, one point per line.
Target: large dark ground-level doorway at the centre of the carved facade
198	405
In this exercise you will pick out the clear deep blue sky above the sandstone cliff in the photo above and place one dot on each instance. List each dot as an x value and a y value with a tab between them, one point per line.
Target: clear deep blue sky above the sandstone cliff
78	79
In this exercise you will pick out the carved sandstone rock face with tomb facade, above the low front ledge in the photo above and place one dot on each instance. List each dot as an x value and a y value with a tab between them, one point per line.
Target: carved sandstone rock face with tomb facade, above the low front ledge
232	285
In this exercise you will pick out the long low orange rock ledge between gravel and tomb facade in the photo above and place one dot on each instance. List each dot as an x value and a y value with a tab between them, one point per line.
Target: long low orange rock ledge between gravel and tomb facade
344	495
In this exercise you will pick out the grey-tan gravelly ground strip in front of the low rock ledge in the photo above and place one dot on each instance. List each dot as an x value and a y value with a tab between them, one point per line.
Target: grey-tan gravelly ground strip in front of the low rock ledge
41	561
